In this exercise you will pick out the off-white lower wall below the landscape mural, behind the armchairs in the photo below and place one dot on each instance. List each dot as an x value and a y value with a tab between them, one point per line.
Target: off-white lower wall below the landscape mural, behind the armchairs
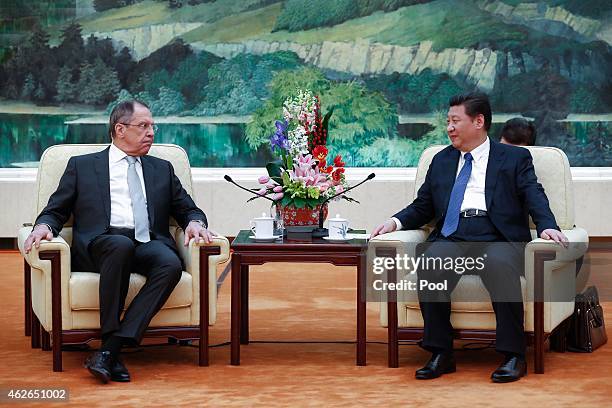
228	212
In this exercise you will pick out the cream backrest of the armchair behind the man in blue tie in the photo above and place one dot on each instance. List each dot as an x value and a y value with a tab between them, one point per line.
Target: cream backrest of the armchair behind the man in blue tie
553	171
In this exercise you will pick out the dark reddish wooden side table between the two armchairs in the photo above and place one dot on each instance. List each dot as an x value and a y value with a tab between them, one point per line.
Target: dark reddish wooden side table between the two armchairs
248	252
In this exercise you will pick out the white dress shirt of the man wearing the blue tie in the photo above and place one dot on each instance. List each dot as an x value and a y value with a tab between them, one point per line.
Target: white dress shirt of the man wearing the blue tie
474	196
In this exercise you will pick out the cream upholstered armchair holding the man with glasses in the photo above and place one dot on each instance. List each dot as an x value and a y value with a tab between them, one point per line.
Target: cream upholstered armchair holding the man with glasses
62	305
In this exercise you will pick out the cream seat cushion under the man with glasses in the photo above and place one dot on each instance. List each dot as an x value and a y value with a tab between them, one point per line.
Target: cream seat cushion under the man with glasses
84	291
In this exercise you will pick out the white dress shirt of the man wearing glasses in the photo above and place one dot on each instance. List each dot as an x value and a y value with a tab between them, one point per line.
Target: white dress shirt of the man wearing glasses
122	215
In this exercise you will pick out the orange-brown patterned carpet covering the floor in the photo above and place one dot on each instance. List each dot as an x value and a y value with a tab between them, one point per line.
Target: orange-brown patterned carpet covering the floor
293	303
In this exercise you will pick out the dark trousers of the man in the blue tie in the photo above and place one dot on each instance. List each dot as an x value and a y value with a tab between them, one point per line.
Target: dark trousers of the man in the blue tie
503	262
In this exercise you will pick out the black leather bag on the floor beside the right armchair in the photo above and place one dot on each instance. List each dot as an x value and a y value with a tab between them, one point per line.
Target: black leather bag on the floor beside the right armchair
587	330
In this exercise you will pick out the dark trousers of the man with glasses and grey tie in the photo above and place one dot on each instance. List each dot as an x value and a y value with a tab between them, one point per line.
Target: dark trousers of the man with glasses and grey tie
116	255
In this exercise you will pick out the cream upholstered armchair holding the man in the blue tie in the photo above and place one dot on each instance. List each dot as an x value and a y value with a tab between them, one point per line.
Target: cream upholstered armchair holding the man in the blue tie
549	270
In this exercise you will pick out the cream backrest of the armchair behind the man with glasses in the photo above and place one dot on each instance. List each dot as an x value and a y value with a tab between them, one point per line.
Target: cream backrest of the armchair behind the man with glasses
54	160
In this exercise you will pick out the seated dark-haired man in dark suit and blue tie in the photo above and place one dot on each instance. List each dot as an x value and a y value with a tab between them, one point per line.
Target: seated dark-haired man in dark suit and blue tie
480	193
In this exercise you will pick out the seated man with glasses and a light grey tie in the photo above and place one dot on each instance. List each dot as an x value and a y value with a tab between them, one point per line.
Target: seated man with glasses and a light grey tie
122	200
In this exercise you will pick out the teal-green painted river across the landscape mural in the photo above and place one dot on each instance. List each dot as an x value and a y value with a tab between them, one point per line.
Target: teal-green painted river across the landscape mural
210	142
